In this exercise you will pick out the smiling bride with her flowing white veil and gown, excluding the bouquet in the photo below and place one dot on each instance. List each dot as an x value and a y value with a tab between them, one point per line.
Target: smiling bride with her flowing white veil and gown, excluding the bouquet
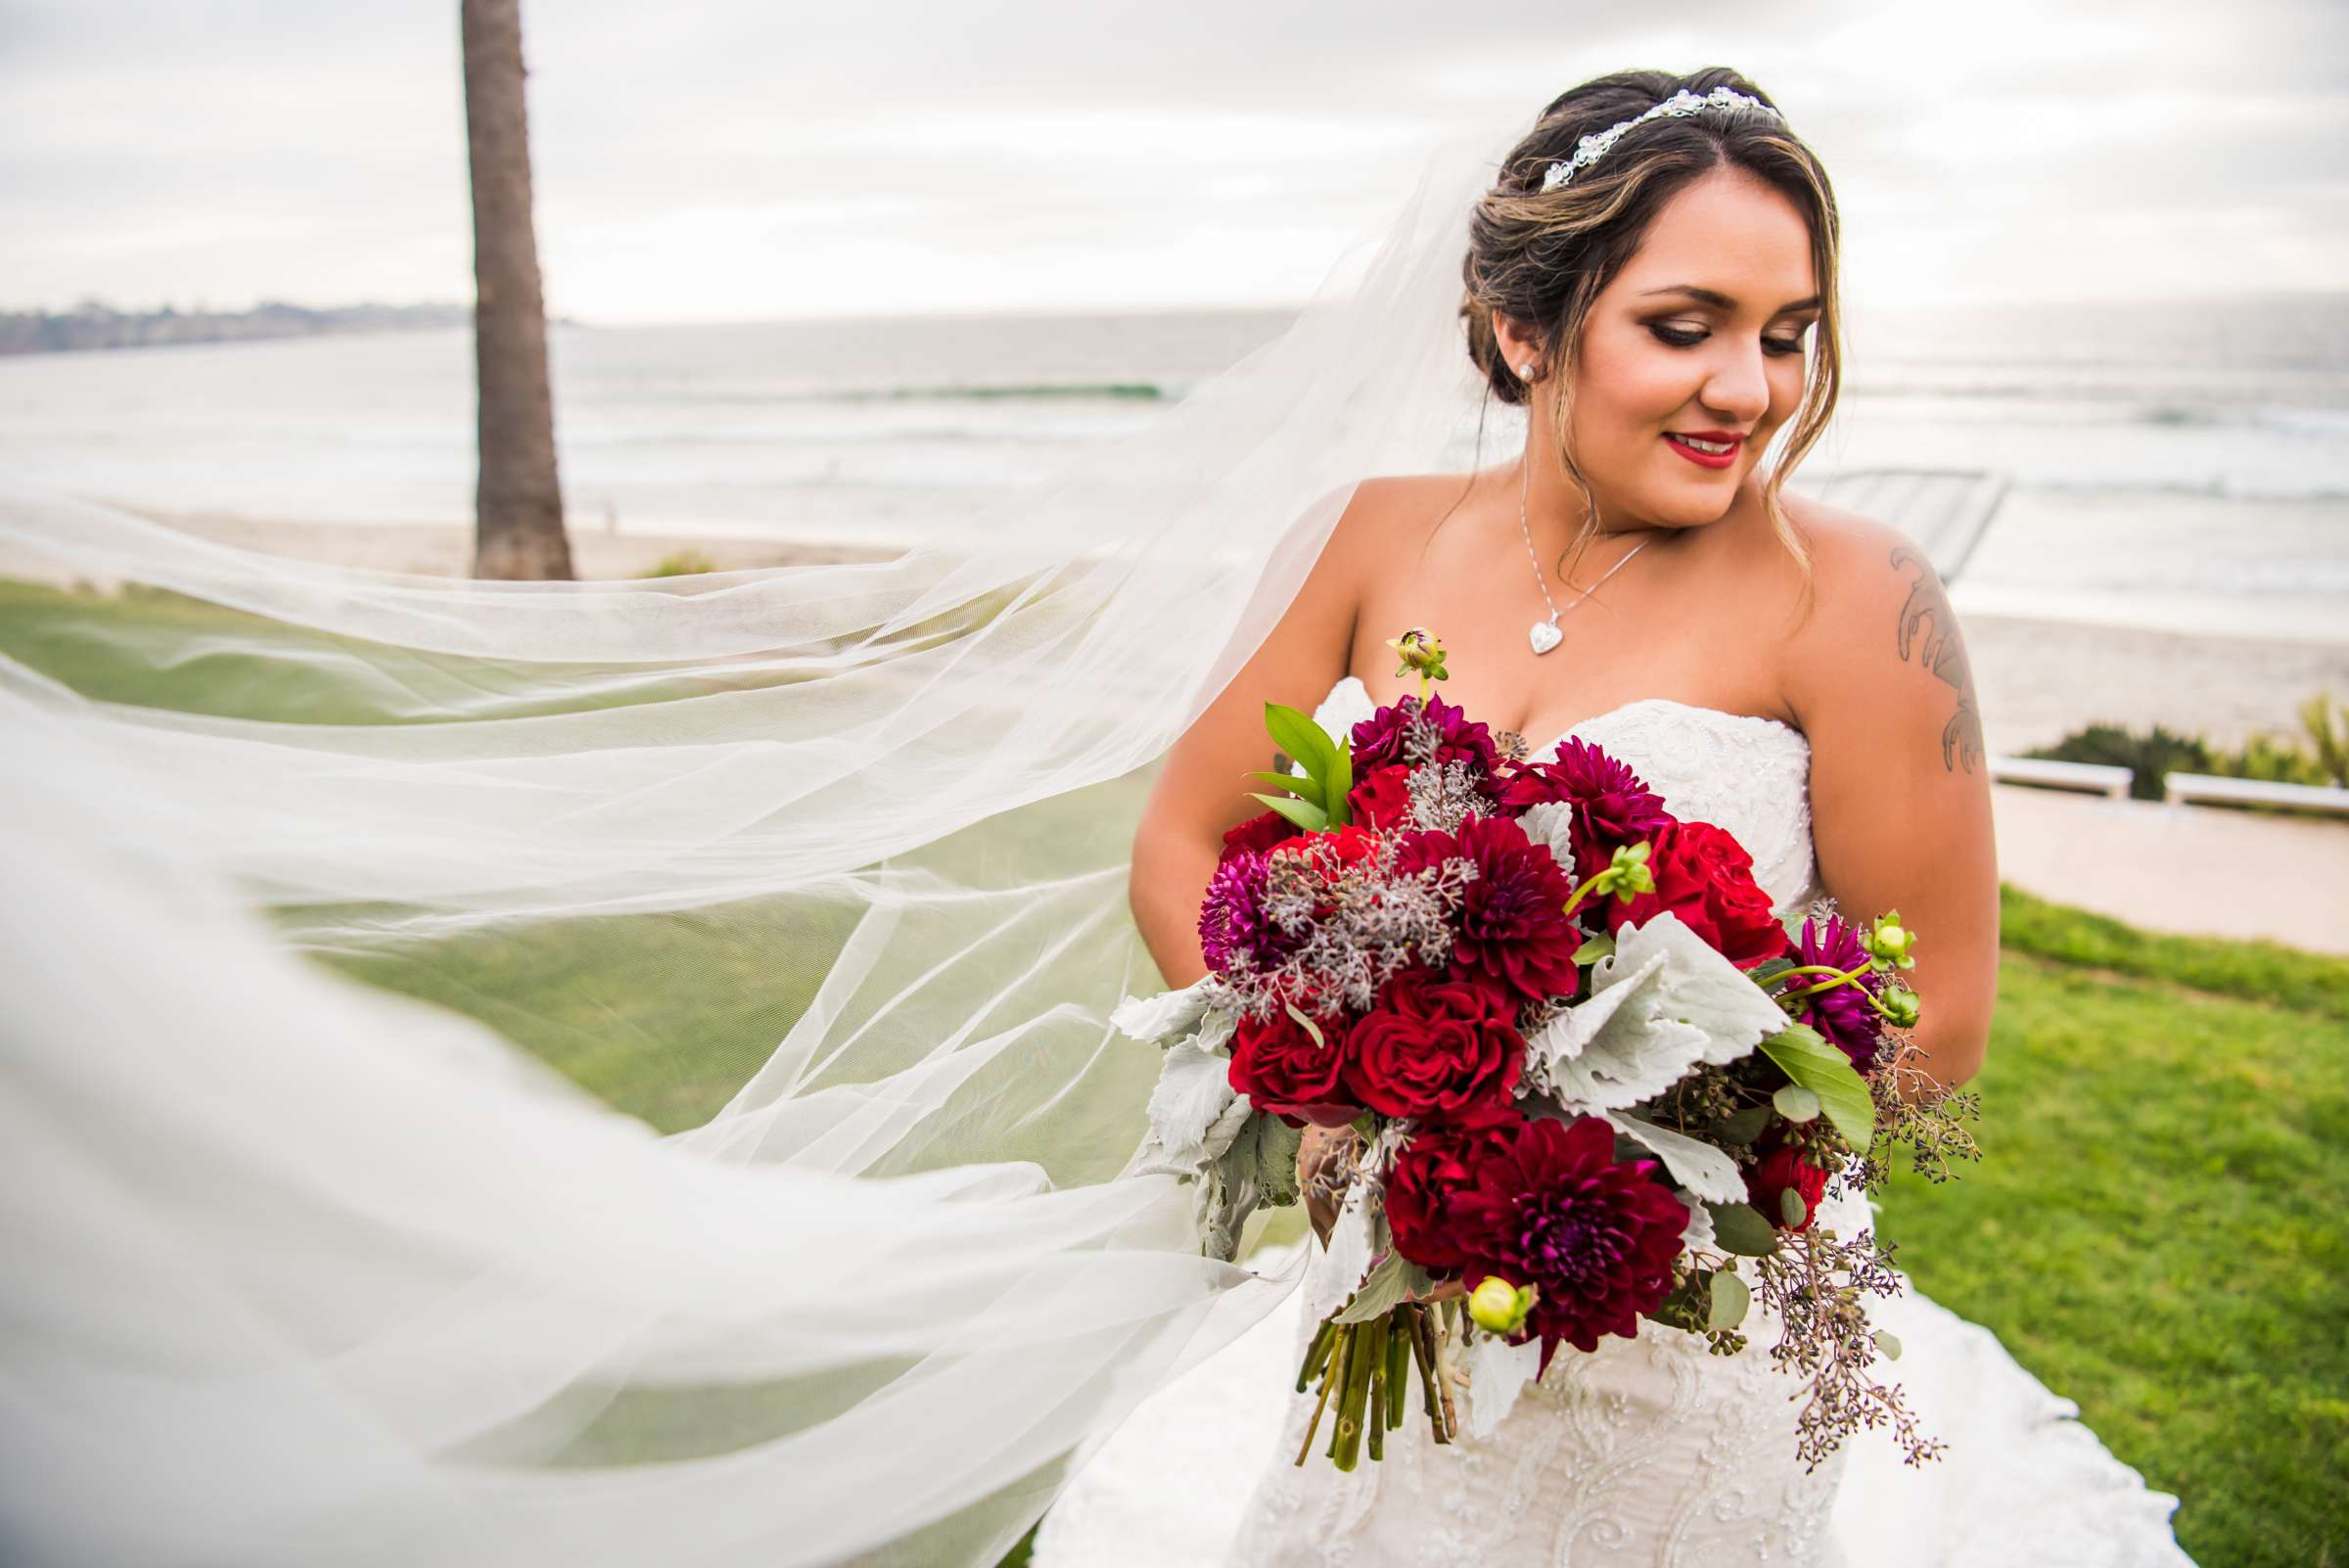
814	881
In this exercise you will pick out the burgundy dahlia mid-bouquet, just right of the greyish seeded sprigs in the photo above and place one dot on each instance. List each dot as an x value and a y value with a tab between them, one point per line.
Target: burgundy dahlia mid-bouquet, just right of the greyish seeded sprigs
1514	928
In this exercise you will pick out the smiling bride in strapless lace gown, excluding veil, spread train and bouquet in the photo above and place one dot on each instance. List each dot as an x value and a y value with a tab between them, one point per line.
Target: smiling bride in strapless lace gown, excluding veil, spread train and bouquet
1765	663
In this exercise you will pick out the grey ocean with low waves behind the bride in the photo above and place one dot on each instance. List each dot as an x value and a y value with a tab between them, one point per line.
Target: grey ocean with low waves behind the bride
2179	466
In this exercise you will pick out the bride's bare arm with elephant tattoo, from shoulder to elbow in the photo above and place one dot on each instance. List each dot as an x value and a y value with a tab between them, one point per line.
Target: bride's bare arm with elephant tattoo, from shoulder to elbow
1899	778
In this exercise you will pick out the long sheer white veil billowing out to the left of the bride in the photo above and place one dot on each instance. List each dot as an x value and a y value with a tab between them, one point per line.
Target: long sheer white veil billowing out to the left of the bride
321	1252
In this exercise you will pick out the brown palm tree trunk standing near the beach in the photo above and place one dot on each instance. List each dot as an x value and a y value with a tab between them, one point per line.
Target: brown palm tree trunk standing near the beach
518	503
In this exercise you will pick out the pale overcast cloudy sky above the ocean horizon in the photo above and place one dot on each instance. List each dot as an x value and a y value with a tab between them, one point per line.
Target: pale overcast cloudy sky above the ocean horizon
758	158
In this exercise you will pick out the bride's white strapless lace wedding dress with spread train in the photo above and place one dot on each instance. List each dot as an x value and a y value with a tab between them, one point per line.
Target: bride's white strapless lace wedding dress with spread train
1648	1454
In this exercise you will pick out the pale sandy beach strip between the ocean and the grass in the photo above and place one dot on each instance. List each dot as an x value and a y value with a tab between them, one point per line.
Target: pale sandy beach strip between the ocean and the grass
2038	677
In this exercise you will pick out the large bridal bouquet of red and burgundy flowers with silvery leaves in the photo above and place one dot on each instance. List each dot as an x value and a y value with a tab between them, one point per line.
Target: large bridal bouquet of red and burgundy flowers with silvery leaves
1591	1074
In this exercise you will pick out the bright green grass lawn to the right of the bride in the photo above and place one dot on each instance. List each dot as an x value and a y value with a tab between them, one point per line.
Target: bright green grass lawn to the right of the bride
2155	1229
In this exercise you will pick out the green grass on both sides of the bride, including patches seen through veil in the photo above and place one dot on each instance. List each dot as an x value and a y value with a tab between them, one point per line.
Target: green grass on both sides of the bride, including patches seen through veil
2155	1229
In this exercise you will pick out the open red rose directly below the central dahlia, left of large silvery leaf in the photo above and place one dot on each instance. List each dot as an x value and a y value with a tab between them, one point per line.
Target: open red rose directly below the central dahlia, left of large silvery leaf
1434	1048
